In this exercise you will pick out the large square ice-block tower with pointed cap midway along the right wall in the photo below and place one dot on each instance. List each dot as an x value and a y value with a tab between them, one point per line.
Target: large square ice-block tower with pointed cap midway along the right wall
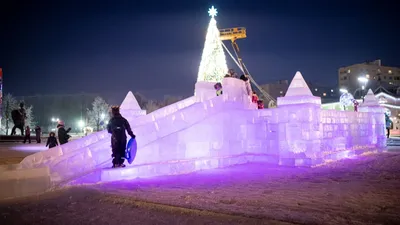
300	116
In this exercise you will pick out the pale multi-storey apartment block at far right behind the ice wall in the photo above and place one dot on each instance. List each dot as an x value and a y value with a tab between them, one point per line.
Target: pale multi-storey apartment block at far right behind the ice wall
377	75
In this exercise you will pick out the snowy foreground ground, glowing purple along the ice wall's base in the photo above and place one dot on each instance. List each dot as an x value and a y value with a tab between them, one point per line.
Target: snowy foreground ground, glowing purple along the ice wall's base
356	191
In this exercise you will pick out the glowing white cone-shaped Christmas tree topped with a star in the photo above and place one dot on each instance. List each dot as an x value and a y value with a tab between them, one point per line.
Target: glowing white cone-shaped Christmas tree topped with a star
213	66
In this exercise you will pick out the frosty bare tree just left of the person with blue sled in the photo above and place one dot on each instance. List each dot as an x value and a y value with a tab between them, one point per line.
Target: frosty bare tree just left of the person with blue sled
99	113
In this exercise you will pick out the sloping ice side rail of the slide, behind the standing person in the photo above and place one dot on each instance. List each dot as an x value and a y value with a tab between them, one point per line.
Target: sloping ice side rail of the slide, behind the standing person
96	154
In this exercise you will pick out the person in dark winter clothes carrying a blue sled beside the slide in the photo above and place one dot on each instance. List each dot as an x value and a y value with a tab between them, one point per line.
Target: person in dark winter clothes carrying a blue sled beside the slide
118	126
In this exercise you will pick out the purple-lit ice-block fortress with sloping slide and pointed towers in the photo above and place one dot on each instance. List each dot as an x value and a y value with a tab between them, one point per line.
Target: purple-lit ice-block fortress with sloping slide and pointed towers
206	132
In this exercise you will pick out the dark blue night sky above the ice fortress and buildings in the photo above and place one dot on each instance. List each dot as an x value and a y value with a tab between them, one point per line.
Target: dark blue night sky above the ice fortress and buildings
155	47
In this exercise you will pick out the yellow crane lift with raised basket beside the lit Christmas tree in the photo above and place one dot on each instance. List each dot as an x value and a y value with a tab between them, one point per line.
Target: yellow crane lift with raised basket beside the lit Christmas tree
233	34
